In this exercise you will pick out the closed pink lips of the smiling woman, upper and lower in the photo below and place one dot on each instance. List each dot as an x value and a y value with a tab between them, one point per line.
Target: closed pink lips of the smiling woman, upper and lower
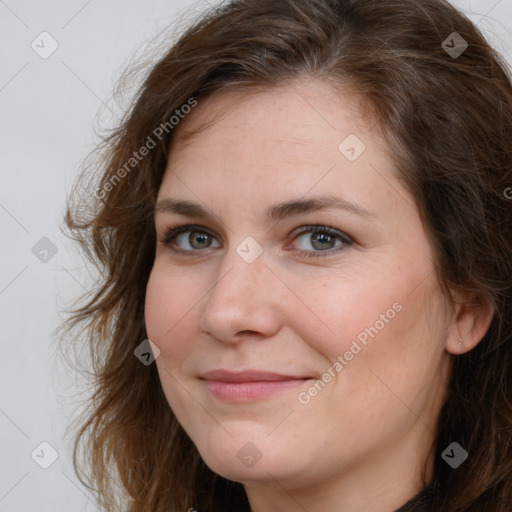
250	385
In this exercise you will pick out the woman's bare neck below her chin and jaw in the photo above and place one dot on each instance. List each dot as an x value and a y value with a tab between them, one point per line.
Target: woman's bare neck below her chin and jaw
381	482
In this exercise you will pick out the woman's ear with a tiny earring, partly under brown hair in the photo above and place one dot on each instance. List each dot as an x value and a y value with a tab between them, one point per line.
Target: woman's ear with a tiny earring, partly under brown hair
471	320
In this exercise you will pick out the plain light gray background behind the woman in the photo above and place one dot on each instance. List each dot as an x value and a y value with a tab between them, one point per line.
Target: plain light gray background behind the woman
48	113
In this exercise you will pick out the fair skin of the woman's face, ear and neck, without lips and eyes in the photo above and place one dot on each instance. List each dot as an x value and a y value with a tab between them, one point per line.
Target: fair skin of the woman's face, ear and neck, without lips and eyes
362	441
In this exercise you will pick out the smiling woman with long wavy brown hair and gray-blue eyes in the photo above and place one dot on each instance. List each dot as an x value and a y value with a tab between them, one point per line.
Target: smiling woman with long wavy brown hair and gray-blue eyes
306	213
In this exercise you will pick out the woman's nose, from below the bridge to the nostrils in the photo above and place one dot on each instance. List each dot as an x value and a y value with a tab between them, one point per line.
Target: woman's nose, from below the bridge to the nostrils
244	301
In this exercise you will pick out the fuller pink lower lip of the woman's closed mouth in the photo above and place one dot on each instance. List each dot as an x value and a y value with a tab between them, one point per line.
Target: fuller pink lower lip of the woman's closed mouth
249	391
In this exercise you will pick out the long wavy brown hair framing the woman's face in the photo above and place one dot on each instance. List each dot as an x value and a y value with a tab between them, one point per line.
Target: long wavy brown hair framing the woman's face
448	121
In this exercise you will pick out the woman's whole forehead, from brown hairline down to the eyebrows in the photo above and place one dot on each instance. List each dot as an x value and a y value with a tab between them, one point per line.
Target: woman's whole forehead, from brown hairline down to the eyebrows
275	145
